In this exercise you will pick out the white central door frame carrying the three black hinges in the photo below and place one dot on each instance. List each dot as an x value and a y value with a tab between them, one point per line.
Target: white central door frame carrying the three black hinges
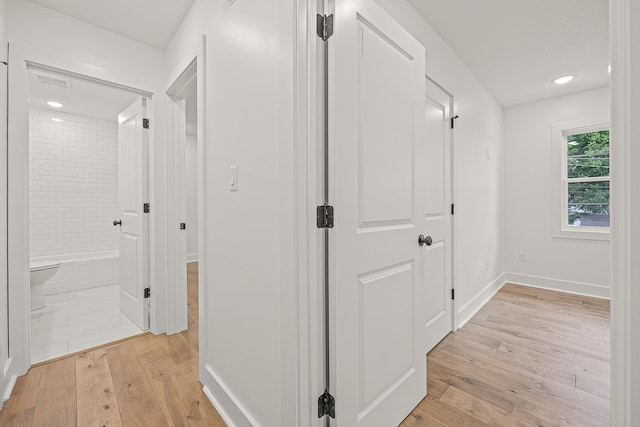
308	169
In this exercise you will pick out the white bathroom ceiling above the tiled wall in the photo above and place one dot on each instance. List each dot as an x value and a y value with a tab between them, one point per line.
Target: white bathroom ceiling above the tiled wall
80	96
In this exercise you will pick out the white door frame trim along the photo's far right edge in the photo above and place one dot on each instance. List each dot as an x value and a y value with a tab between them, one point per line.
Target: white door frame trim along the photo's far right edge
625	340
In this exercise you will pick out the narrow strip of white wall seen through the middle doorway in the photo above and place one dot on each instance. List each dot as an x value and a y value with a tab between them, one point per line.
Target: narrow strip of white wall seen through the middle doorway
192	197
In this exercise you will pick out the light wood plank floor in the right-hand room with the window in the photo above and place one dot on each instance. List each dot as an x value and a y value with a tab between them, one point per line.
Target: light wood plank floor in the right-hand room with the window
530	357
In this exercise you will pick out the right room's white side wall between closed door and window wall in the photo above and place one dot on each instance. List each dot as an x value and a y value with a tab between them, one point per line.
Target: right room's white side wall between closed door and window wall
477	182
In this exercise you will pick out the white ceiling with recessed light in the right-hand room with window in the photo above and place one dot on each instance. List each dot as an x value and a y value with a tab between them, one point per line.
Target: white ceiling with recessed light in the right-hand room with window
516	47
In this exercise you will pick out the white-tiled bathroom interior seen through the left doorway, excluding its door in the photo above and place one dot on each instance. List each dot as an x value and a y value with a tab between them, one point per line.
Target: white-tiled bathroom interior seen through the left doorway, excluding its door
74	213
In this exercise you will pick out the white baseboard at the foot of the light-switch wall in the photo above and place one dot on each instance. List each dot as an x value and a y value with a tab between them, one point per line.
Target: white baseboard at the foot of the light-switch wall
228	406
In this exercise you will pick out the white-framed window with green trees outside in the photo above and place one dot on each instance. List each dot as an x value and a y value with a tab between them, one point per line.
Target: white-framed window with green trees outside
581	162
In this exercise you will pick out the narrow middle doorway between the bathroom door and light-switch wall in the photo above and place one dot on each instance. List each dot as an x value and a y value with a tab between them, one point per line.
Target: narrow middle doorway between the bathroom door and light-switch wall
187	265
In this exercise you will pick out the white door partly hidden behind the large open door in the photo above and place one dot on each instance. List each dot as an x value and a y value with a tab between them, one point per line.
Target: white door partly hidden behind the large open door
438	213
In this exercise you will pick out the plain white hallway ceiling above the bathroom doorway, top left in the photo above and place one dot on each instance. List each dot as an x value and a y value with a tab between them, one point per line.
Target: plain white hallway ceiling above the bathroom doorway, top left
153	22
